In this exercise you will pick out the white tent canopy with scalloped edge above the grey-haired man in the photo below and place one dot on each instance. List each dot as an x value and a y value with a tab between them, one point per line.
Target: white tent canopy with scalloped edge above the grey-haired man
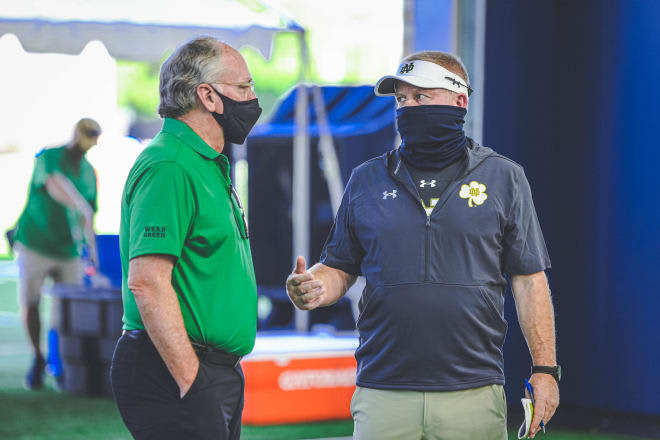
141	30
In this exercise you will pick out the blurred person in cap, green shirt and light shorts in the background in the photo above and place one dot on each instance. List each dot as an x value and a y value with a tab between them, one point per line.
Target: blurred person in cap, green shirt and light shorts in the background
57	220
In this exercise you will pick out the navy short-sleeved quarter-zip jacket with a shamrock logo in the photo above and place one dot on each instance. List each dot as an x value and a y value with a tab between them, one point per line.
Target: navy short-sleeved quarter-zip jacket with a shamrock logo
432	312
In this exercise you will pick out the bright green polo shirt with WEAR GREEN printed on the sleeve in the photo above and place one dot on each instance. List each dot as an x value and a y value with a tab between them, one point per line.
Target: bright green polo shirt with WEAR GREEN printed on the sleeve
178	201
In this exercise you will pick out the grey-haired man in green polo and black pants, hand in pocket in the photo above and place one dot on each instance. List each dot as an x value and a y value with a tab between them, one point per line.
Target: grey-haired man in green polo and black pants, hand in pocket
189	289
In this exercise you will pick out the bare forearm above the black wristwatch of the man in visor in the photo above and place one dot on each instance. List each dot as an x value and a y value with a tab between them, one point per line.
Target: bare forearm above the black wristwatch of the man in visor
536	316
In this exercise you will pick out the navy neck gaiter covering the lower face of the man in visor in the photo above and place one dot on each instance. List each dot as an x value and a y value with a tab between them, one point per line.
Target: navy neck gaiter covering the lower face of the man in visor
432	135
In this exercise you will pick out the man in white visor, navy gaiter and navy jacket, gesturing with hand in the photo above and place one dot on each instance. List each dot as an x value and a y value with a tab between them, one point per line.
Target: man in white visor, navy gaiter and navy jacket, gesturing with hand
435	227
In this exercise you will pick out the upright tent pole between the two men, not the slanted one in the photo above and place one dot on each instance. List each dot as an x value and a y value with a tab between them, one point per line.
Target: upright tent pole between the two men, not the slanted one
301	178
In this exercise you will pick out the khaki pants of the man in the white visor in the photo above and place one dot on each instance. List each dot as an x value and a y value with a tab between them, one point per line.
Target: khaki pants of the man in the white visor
474	414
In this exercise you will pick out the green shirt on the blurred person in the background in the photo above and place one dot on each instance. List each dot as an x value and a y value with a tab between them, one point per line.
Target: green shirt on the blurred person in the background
46	225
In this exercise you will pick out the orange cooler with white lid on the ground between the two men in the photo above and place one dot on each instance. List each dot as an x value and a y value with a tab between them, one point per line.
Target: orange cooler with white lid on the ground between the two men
294	378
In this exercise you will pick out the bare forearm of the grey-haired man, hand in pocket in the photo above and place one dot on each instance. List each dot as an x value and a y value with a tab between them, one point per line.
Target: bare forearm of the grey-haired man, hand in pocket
161	314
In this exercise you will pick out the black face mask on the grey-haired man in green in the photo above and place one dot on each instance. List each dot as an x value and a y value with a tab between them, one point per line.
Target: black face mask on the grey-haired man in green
238	117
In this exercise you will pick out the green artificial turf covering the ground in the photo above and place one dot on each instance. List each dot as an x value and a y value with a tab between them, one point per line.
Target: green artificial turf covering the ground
51	415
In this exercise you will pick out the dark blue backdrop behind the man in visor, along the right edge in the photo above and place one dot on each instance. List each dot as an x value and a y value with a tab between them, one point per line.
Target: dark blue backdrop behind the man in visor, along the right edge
572	94
